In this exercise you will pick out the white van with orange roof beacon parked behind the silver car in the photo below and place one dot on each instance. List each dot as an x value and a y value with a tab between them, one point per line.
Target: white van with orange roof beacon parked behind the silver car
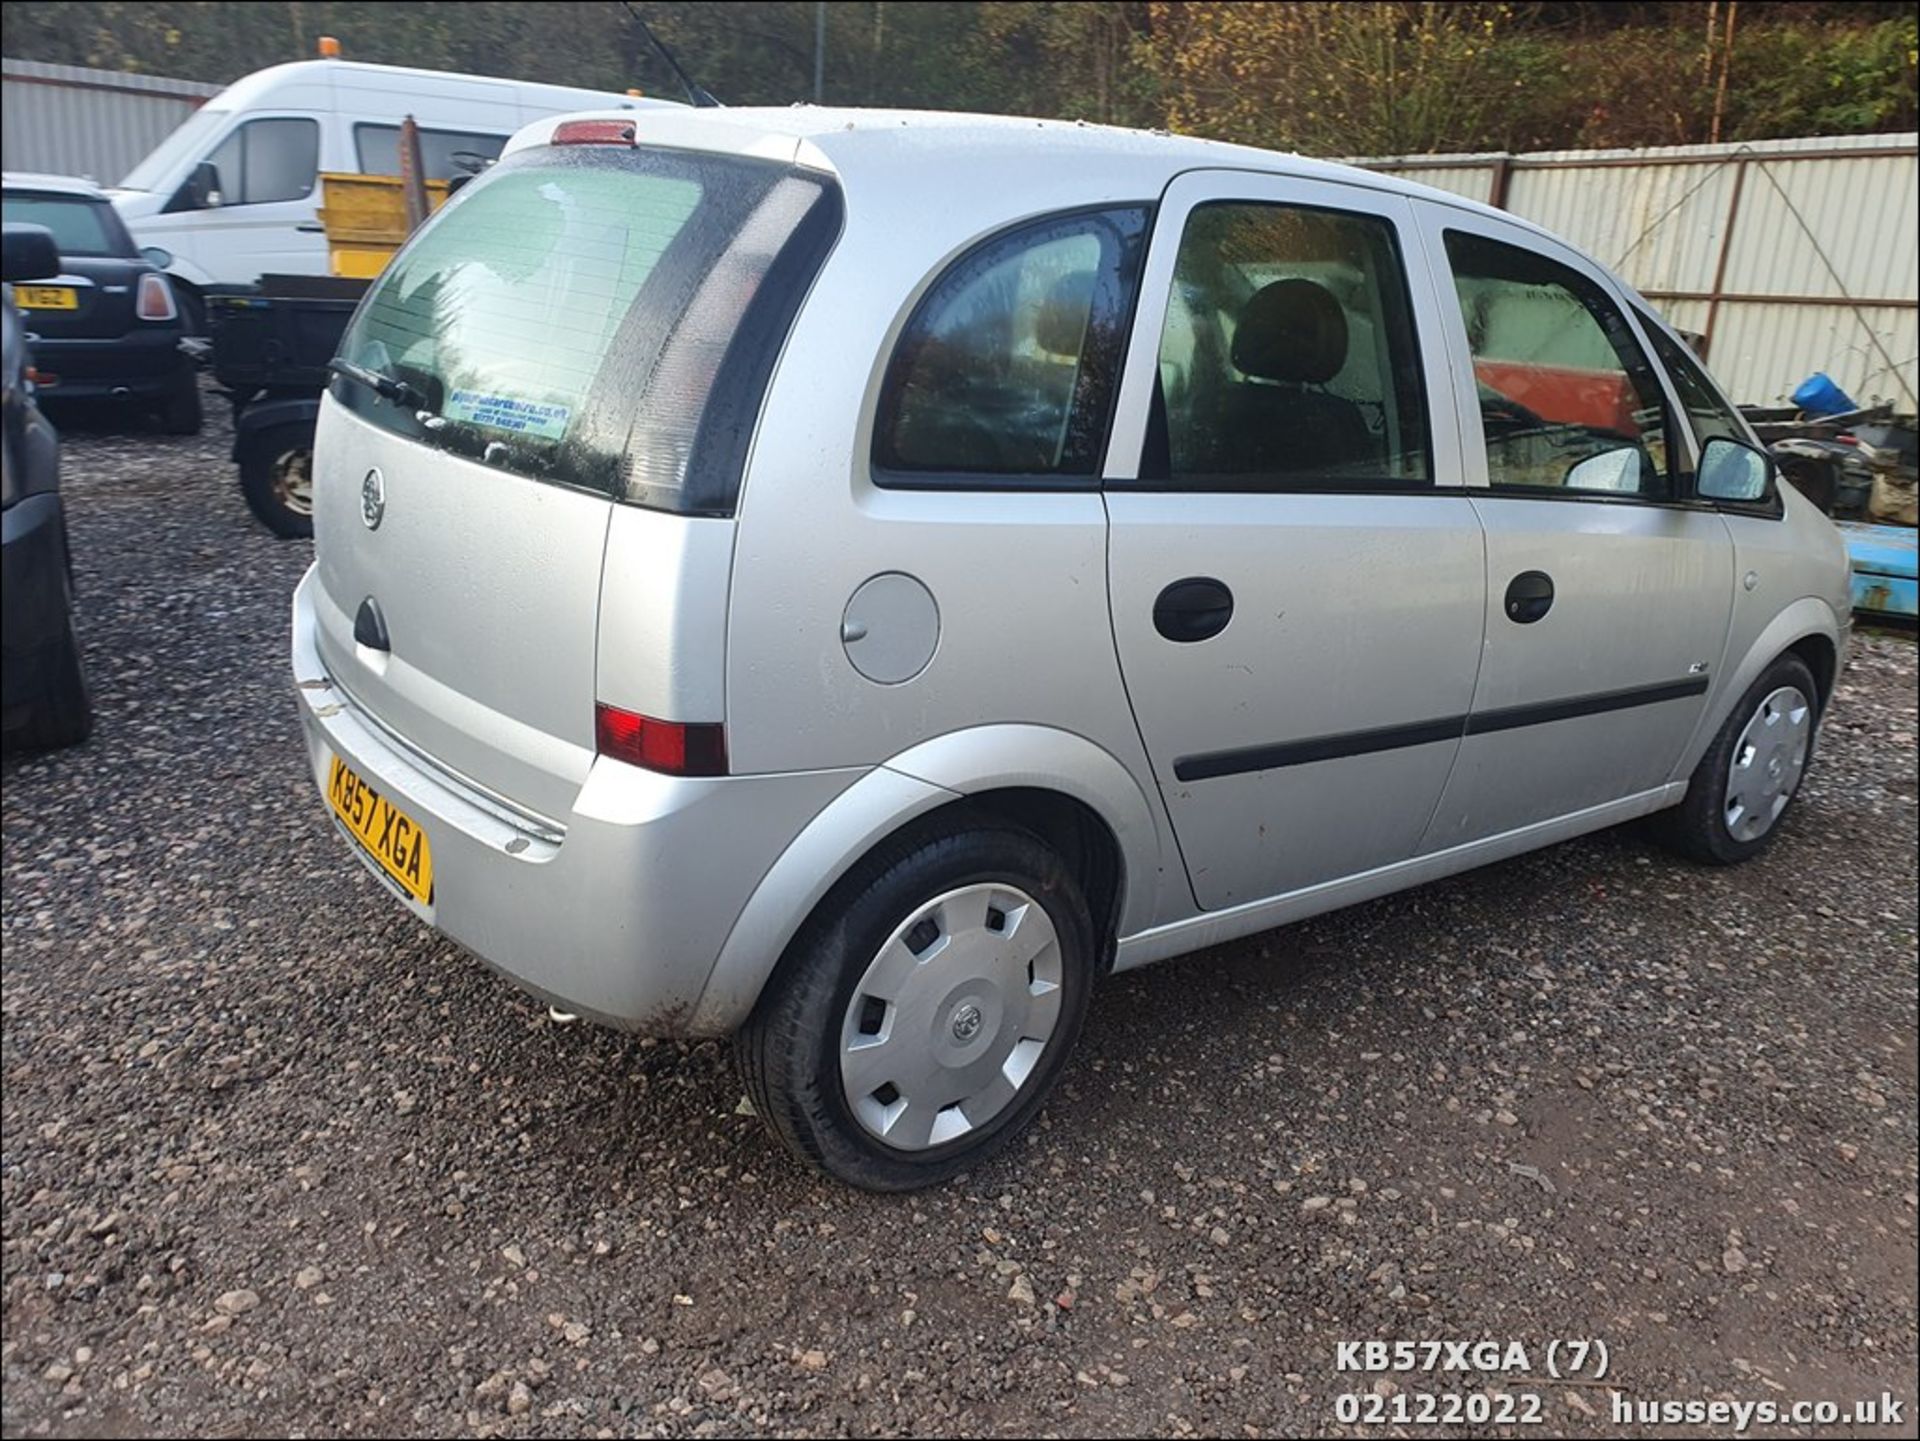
235	195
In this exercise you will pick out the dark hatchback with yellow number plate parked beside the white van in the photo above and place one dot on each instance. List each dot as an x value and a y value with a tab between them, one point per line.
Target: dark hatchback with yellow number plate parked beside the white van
108	327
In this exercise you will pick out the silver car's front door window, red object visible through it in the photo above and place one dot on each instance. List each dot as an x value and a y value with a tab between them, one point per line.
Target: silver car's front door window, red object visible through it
1568	398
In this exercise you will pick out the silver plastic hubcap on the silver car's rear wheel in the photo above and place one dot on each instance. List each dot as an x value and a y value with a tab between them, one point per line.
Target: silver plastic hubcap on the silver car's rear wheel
951	1018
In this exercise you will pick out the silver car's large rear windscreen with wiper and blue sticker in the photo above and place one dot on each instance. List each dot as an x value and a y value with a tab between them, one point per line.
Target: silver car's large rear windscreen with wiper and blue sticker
594	316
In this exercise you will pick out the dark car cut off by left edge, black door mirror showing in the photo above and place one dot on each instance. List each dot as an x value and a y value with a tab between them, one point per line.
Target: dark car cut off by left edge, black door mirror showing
45	690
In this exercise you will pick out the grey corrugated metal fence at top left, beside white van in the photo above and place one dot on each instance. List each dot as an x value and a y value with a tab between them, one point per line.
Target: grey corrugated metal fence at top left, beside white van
66	120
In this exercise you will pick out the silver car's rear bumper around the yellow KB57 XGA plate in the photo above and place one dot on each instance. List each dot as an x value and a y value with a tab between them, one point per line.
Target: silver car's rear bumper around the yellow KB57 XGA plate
617	910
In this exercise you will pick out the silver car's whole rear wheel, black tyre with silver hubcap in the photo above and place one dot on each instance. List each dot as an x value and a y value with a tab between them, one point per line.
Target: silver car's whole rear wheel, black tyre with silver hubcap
926	1008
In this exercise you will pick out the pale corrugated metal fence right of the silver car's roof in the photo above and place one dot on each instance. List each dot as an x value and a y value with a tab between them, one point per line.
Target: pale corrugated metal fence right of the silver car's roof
1790	256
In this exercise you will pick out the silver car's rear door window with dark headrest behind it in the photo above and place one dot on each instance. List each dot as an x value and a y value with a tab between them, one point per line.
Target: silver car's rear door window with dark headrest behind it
1289	360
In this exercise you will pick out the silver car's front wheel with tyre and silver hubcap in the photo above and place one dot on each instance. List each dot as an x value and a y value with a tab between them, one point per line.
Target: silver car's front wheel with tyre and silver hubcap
1746	782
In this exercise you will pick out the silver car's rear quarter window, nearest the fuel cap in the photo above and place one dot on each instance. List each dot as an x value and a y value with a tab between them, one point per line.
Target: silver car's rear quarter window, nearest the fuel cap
1009	366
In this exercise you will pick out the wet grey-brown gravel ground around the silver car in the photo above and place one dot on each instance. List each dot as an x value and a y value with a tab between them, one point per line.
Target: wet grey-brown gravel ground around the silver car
279	1162
